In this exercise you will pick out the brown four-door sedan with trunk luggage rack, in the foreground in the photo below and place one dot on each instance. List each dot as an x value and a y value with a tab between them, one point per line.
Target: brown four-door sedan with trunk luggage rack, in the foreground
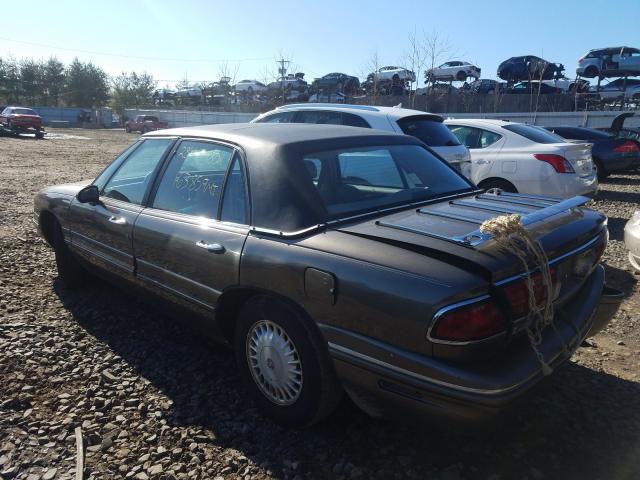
333	259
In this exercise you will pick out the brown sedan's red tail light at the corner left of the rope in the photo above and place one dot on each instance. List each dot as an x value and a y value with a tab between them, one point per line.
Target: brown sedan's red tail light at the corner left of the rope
468	323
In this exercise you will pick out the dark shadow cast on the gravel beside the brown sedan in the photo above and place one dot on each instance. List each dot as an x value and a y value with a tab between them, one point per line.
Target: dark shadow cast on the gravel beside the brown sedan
580	424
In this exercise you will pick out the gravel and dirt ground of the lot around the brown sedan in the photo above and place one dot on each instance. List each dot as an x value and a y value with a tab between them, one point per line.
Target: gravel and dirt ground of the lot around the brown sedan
155	402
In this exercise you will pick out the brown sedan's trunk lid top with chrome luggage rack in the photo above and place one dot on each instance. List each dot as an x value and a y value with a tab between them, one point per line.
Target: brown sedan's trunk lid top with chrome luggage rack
449	230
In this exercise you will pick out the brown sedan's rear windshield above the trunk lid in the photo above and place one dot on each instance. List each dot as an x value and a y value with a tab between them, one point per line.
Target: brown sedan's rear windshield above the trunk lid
358	180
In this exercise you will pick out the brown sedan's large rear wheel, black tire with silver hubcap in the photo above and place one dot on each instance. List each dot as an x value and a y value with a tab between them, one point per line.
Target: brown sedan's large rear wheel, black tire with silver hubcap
284	363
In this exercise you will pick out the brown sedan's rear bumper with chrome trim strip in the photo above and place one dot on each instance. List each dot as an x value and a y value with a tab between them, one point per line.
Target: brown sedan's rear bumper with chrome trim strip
389	382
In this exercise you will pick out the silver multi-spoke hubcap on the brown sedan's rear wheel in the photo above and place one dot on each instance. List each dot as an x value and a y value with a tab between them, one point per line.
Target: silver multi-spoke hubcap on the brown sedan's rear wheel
274	362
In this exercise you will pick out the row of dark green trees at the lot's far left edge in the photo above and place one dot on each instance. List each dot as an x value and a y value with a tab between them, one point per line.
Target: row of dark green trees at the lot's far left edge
51	83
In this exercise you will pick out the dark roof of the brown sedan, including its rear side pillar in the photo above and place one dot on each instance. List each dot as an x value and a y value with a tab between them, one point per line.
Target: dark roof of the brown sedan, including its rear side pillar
272	153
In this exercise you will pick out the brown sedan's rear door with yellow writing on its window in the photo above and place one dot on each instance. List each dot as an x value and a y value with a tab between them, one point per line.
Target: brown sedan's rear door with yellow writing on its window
189	240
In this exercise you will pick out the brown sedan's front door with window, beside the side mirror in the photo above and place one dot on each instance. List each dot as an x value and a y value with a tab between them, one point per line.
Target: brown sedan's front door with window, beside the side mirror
102	232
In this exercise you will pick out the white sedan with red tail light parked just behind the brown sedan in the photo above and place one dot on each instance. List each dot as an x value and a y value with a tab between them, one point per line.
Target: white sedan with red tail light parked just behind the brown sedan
525	159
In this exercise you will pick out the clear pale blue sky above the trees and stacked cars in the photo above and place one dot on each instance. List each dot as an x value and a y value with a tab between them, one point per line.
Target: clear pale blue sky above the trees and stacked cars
171	39
